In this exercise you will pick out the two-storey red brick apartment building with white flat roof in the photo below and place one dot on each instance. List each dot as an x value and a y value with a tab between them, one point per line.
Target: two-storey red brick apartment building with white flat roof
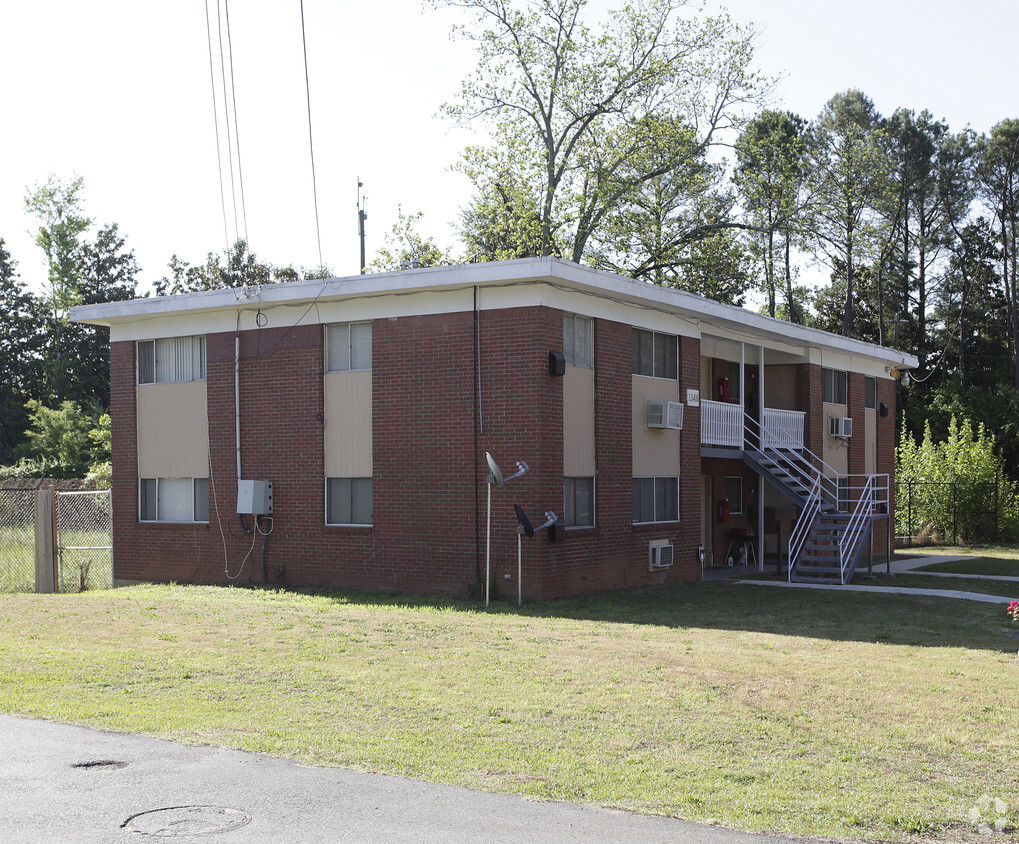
668	432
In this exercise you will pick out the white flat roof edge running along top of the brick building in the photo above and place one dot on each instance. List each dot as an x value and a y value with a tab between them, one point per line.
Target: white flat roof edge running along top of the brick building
555	272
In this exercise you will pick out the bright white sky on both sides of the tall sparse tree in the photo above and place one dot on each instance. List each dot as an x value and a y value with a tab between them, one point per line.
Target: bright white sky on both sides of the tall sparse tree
119	92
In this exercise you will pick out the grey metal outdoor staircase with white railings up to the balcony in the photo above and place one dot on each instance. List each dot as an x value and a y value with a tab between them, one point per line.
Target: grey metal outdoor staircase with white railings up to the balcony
828	542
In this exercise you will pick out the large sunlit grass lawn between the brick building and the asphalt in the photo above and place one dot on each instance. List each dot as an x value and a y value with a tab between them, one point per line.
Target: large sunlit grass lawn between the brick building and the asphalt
822	714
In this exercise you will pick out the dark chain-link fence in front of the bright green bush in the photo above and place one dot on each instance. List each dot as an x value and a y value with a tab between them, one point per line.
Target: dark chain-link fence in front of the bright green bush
948	513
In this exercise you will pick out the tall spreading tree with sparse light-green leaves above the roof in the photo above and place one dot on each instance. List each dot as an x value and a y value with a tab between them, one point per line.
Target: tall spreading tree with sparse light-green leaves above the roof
583	118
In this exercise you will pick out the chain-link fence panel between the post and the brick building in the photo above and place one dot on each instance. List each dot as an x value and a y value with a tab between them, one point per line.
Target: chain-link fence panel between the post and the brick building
85	525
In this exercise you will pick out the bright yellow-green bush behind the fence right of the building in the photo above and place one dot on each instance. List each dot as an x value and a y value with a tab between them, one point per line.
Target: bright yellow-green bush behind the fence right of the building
959	489
